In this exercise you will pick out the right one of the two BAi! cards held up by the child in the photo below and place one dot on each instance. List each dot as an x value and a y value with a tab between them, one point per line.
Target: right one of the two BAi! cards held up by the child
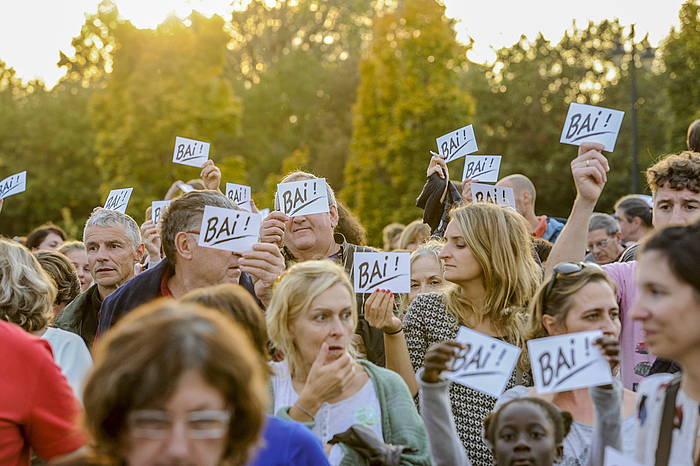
567	362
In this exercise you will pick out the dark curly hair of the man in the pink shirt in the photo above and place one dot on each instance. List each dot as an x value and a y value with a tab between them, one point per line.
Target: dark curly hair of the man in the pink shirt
679	171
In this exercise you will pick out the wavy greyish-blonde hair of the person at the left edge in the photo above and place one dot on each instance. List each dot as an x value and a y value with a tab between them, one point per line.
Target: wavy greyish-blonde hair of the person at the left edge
26	290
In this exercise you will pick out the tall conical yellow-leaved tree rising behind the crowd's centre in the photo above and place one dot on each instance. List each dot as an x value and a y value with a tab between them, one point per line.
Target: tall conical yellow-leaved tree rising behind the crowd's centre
409	94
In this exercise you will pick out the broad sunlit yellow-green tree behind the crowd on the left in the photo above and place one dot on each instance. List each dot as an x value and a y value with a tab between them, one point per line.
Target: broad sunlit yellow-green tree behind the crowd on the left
165	83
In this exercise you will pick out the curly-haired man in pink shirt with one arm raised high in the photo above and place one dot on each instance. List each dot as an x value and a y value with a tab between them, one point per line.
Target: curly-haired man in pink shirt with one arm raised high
675	185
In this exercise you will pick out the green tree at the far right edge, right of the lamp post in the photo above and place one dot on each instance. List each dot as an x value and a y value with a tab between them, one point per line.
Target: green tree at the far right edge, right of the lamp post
681	56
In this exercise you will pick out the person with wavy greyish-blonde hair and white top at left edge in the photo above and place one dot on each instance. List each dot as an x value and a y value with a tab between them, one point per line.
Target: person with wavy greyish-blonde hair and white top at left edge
27	294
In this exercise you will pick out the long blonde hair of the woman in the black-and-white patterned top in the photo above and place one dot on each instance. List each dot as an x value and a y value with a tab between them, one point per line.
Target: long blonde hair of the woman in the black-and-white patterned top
499	239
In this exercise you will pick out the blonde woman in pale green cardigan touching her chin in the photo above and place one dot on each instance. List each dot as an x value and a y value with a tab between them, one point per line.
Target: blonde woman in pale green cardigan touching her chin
311	318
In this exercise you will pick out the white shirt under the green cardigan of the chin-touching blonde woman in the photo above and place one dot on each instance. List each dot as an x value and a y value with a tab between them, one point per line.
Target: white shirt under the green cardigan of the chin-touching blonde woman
331	418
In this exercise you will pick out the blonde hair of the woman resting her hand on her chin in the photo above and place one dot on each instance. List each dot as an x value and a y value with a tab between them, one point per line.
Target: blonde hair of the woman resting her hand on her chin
293	293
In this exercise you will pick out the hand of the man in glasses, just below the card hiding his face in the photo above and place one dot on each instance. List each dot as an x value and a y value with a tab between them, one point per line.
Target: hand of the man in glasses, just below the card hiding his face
264	263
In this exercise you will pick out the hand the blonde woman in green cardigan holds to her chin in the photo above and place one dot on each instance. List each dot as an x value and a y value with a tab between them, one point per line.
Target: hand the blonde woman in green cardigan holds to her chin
327	379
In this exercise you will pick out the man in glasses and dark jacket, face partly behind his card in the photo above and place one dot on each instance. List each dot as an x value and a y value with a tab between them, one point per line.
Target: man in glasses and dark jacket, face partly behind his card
188	266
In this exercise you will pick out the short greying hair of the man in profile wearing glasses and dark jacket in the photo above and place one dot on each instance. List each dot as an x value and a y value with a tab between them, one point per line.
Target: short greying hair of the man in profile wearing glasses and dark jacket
185	214
